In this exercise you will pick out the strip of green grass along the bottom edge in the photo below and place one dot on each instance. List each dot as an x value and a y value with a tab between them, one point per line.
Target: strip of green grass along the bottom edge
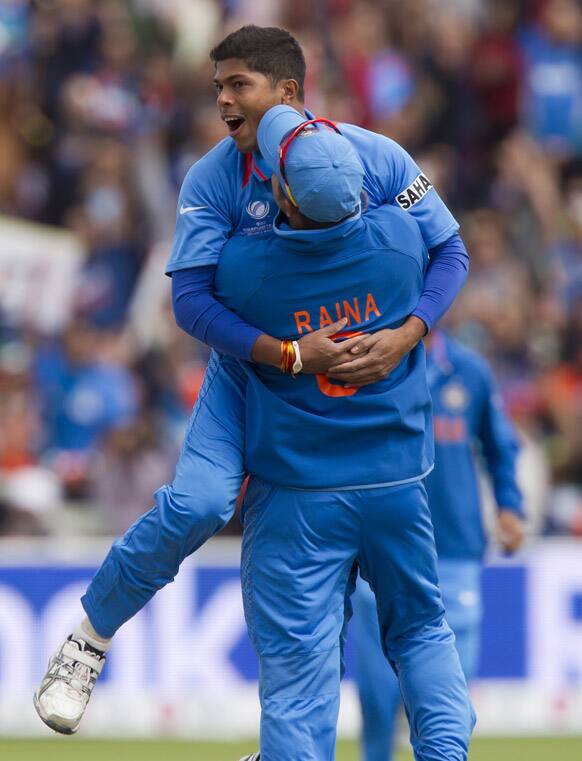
76	749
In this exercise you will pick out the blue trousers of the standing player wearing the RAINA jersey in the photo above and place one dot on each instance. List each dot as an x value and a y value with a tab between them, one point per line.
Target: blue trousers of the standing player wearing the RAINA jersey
301	551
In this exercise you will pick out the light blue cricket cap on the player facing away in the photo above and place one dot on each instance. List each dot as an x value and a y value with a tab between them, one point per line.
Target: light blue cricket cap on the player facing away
322	168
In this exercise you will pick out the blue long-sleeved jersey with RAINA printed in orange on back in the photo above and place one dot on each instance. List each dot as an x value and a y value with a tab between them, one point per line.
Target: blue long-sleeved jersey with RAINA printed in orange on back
309	432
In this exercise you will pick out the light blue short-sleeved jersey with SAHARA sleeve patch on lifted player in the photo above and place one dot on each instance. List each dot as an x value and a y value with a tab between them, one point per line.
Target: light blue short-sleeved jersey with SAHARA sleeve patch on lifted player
228	193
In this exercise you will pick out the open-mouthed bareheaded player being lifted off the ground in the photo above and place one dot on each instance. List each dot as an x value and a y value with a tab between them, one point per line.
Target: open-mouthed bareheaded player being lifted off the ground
226	195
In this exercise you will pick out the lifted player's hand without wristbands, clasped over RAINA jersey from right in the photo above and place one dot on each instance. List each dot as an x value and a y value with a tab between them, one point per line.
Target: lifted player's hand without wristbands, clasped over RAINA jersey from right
378	354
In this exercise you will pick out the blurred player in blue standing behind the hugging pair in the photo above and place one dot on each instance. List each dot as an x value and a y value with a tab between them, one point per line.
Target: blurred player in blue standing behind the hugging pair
467	414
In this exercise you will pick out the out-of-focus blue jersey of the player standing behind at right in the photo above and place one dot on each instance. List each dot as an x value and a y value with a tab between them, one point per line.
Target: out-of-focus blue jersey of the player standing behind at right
468	421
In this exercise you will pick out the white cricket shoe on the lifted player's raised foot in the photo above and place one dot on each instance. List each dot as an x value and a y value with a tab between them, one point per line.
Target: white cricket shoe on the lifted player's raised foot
64	692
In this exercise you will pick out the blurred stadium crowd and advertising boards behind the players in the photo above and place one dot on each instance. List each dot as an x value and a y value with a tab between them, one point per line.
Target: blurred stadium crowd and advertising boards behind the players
103	107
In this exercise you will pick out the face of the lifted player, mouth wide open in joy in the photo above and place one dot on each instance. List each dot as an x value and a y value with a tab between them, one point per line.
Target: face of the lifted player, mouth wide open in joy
243	96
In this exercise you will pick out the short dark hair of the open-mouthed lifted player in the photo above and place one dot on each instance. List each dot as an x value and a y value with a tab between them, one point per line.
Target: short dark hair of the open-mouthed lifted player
266	49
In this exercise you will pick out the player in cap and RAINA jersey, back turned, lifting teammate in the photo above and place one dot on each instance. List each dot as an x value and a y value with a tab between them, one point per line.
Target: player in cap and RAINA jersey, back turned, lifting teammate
337	471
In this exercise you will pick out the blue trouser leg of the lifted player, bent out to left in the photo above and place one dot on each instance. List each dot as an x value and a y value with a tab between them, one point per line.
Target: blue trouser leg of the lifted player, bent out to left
198	503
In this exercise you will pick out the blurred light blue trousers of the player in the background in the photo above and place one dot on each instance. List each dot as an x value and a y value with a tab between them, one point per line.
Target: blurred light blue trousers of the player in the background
377	685
